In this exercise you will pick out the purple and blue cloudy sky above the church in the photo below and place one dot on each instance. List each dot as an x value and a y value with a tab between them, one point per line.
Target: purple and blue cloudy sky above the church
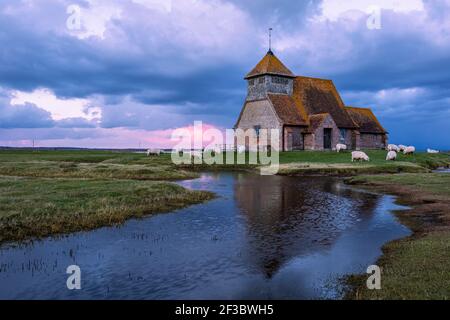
125	73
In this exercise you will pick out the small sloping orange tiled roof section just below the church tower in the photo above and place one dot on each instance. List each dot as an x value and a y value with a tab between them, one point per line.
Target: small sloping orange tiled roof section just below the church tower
287	110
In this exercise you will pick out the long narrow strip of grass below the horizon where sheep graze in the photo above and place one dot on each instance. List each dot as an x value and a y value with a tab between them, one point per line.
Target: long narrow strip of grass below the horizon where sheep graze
122	165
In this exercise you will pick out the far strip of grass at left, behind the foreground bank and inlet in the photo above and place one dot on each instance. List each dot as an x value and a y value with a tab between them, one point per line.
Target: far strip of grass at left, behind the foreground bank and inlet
90	164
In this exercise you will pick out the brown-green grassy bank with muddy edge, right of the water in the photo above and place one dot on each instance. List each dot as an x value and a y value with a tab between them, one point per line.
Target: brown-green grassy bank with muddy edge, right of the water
417	267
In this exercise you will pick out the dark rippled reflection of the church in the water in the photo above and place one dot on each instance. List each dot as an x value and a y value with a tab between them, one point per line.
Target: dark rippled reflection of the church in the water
289	217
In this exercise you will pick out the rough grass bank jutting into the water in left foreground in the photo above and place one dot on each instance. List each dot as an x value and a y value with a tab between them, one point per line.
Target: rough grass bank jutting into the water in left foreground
39	207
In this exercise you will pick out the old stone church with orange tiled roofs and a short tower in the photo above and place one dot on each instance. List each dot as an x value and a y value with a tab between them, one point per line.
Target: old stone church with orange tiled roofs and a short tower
308	112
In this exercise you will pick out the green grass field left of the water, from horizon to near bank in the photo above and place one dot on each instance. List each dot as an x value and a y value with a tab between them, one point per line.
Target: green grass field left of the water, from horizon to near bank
55	192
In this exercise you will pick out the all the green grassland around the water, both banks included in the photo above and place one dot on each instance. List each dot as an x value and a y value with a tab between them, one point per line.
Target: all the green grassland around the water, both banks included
45	193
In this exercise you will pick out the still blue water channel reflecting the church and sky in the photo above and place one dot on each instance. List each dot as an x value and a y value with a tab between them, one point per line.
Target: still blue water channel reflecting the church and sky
263	238
